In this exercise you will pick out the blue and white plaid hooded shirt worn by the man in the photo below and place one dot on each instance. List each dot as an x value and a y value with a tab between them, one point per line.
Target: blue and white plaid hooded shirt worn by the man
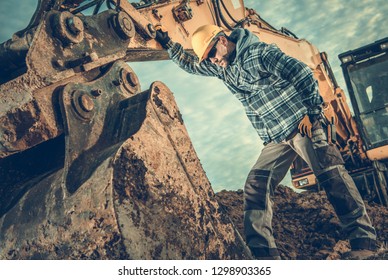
276	90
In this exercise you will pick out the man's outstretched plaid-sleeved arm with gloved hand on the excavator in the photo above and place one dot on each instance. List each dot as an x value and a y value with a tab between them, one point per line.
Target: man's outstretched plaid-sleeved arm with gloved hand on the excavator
186	60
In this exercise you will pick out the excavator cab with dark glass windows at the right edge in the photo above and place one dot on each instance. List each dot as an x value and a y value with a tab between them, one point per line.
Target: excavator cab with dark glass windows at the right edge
366	75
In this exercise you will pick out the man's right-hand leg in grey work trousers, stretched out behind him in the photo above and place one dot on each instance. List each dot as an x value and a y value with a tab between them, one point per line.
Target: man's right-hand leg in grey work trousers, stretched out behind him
327	164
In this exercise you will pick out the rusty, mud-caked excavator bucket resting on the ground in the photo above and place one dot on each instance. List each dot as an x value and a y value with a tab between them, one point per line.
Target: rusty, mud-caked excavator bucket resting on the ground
131	185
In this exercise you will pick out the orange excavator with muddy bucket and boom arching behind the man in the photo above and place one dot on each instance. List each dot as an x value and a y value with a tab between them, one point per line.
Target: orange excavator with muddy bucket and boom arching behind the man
92	167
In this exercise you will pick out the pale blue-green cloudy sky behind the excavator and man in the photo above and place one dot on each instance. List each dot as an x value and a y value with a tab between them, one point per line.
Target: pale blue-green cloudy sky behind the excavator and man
225	141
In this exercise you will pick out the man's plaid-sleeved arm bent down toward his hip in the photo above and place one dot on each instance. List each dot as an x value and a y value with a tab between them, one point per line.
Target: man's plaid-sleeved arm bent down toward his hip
271	59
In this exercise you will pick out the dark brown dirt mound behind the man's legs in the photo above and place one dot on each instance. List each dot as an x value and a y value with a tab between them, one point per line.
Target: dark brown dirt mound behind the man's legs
305	225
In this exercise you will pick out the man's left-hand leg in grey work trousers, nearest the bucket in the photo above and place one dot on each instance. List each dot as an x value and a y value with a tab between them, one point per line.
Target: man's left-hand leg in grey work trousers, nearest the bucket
268	171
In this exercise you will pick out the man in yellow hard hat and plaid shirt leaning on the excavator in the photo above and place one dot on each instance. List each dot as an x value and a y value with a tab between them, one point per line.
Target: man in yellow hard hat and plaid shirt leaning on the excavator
281	99
